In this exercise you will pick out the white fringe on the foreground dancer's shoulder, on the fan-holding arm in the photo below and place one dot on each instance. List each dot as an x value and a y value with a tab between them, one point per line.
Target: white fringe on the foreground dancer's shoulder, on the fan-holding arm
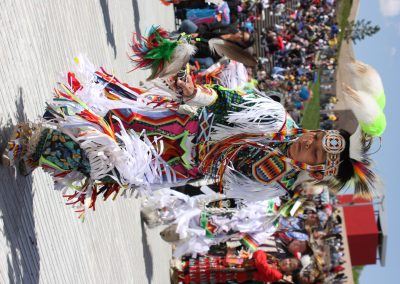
258	115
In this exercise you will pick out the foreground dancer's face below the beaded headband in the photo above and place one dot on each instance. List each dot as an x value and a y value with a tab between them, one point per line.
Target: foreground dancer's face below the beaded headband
308	148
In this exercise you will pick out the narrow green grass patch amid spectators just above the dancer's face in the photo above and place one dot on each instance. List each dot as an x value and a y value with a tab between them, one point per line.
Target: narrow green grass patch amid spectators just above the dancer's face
311	117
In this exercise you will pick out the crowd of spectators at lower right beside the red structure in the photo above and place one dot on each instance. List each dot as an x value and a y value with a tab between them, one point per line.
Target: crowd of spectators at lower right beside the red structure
314	218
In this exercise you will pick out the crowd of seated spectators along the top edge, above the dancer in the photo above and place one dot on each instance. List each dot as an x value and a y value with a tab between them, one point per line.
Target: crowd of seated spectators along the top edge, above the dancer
299	49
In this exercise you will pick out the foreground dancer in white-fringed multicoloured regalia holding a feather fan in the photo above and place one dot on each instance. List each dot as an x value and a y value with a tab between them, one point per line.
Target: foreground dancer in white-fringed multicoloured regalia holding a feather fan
105	137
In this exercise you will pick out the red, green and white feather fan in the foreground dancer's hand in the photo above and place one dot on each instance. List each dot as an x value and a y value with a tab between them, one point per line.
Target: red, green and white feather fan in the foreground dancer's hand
161	53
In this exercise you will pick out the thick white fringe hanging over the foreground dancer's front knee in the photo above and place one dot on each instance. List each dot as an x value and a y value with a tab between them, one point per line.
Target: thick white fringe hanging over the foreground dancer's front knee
134	156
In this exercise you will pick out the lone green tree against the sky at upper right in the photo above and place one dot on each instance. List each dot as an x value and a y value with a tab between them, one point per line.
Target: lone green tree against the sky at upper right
357	31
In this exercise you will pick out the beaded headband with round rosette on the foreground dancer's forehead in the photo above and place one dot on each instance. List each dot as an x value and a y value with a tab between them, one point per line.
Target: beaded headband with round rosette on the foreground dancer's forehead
334	144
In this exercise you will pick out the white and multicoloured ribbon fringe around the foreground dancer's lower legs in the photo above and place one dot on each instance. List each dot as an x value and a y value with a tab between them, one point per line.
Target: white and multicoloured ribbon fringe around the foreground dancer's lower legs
128	161
